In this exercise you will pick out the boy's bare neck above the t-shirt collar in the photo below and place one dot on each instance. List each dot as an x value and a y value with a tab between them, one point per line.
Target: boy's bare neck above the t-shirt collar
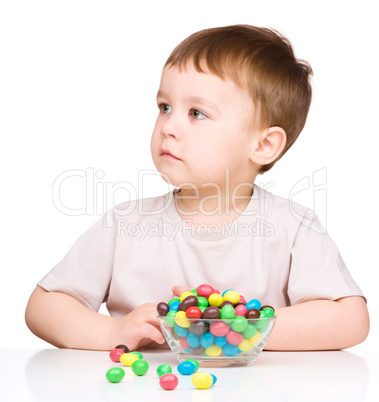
212	207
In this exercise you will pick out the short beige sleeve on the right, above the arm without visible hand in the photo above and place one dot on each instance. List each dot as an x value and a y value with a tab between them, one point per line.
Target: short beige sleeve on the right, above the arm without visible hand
317	269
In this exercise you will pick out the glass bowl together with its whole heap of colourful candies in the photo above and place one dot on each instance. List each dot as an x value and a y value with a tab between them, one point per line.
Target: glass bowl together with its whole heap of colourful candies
216	330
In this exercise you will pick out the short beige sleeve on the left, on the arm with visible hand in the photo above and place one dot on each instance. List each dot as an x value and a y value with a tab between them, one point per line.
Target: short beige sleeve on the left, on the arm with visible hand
85	272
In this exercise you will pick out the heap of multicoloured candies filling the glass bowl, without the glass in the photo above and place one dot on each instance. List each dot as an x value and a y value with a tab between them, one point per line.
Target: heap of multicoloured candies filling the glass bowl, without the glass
235	334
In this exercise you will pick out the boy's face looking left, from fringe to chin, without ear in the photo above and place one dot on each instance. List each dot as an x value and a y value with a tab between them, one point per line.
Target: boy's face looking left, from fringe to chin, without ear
206	124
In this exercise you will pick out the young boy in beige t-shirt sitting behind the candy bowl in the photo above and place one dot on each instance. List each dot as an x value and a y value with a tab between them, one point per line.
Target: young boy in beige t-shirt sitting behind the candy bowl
232	100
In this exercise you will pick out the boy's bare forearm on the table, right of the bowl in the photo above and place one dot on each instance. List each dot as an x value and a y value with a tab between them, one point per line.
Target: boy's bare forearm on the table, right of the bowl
320	325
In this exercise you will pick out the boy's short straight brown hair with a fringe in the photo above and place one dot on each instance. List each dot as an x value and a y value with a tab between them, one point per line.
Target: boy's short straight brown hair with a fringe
260	60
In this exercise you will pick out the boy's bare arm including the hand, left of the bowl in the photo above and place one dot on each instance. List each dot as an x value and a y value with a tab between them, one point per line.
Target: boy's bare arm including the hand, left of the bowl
66	323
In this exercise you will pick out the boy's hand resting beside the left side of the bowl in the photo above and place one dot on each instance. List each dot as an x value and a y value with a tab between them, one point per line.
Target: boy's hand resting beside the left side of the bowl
138	328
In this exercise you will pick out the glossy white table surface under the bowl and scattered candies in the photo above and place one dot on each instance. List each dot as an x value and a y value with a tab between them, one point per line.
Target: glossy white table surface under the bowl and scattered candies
76	375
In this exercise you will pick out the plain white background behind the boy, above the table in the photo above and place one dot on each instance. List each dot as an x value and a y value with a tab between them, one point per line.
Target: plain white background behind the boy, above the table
78	81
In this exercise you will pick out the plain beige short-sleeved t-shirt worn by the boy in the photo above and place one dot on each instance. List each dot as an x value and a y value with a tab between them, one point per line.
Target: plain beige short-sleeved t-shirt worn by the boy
277	251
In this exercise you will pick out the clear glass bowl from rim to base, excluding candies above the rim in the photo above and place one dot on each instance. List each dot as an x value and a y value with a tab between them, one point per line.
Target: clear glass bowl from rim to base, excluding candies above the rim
217	342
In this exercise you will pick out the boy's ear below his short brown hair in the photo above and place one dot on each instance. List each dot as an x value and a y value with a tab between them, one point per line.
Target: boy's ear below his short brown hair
267	145
